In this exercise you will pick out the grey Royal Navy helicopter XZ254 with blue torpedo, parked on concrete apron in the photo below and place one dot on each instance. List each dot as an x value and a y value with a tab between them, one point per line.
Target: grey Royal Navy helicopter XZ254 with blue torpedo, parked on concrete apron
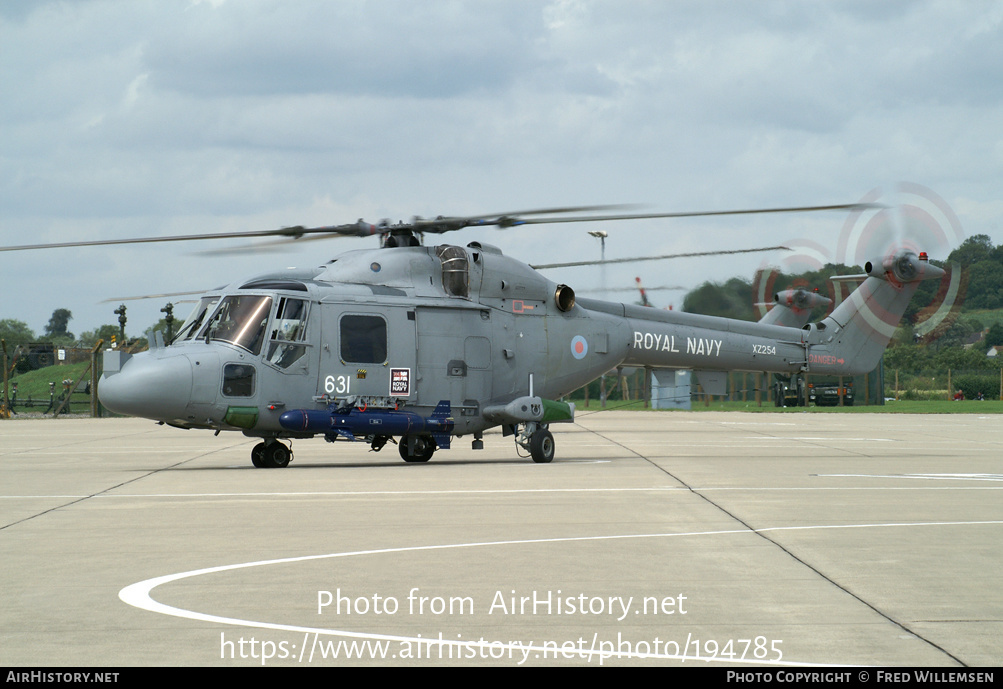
420	344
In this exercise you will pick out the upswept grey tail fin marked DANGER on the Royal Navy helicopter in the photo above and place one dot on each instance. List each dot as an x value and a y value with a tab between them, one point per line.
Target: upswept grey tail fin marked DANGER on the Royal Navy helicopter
853	339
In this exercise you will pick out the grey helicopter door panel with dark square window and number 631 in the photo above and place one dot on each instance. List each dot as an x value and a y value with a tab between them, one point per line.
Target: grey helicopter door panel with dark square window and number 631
369	353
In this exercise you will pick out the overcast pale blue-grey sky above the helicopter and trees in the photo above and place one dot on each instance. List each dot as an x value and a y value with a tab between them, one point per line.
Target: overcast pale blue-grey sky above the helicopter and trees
129	119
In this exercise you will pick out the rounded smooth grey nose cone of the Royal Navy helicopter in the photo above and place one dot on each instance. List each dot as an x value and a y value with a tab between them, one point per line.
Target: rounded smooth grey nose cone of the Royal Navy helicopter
157	389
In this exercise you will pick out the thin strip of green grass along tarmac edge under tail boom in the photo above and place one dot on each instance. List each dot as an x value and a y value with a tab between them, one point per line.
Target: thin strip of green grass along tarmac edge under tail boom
900	408
